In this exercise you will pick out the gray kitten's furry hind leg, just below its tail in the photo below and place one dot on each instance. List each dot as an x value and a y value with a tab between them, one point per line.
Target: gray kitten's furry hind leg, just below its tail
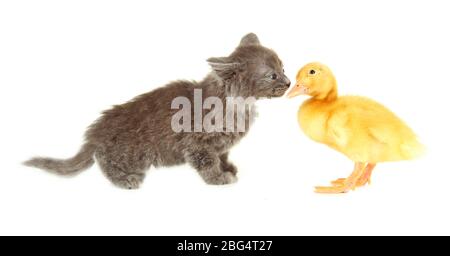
119	174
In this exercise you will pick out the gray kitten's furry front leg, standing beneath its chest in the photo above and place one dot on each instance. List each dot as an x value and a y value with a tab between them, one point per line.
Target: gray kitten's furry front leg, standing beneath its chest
208	165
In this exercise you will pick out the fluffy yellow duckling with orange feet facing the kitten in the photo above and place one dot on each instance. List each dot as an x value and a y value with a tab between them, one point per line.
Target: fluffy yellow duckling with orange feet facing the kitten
362	129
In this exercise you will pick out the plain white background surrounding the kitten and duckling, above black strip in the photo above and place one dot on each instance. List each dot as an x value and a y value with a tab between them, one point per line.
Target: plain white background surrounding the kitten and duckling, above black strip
63	62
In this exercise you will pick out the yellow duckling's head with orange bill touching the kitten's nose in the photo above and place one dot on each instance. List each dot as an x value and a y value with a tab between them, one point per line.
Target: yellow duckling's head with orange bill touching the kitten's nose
316	80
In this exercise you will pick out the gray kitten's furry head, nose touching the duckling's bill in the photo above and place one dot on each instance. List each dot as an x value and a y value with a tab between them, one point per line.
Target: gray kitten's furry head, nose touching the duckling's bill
252	70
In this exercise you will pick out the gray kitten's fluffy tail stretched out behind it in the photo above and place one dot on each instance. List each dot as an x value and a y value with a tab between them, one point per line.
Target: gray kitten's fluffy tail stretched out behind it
83	160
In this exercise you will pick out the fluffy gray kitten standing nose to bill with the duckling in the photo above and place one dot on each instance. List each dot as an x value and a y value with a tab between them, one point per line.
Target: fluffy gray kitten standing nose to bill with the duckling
127	139
